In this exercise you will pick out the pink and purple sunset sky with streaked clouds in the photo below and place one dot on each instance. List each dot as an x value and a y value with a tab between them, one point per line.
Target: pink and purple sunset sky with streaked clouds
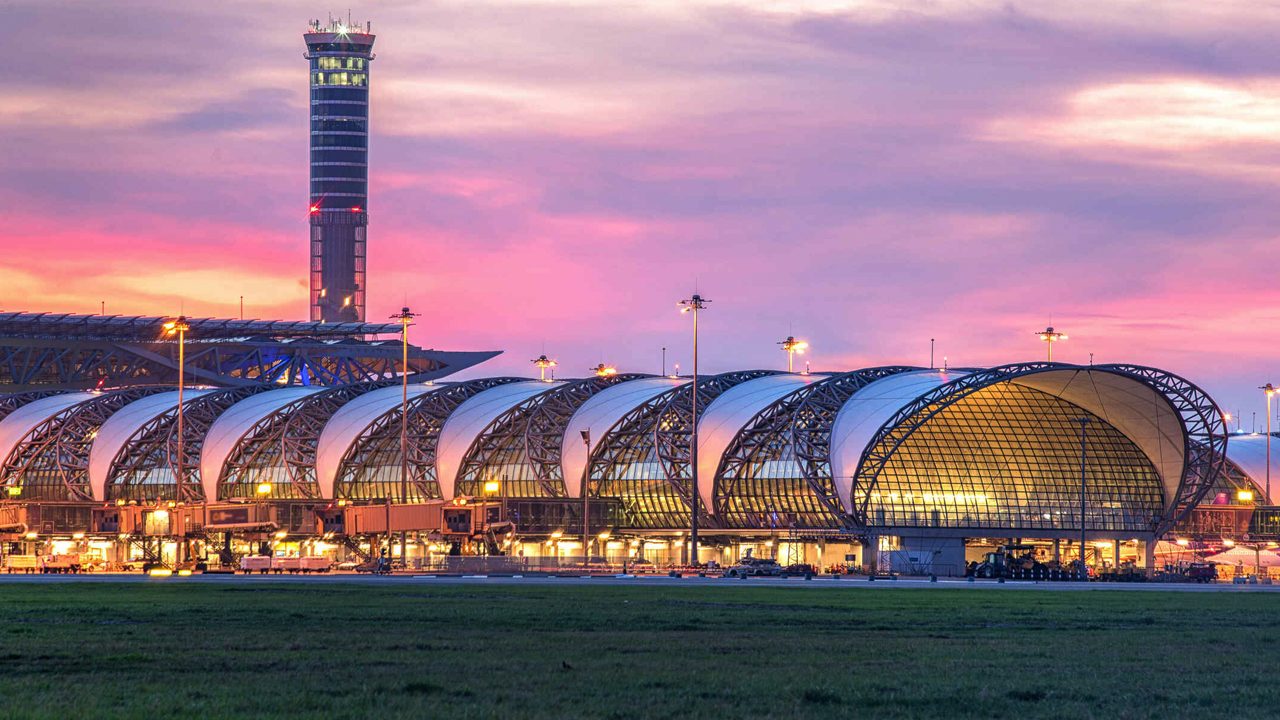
554	176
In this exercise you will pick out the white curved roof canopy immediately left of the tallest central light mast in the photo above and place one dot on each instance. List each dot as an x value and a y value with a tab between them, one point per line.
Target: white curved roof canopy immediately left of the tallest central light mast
600	414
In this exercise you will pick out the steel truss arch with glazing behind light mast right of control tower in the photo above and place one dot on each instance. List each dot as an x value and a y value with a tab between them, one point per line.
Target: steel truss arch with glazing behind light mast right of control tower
378	446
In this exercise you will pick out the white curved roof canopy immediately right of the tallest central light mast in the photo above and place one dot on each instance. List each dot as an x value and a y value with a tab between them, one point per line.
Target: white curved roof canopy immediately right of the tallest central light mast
730	413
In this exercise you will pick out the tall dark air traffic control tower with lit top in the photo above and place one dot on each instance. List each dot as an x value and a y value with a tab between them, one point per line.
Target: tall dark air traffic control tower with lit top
340	56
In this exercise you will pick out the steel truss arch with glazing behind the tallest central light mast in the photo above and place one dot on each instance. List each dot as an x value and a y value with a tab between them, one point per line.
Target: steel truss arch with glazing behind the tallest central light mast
644	459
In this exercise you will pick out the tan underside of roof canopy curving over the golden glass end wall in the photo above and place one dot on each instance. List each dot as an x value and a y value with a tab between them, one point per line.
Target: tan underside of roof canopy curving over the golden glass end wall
1131	407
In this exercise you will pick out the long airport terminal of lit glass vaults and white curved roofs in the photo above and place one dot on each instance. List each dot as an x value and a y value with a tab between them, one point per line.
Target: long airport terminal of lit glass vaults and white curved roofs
820	468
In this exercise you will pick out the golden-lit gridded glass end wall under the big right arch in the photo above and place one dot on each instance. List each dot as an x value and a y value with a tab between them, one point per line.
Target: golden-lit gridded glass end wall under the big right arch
1009	457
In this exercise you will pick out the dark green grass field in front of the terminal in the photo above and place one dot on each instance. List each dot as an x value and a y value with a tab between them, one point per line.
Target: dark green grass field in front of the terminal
410	650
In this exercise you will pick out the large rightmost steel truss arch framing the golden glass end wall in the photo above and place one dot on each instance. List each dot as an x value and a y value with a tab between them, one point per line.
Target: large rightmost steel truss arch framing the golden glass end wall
1204	430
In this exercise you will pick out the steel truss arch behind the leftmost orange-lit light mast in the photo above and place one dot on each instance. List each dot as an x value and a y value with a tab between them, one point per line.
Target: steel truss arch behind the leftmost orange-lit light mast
148	461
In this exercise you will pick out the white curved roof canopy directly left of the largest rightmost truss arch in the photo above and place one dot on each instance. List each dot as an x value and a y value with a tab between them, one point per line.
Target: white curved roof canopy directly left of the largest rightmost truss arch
866	412
